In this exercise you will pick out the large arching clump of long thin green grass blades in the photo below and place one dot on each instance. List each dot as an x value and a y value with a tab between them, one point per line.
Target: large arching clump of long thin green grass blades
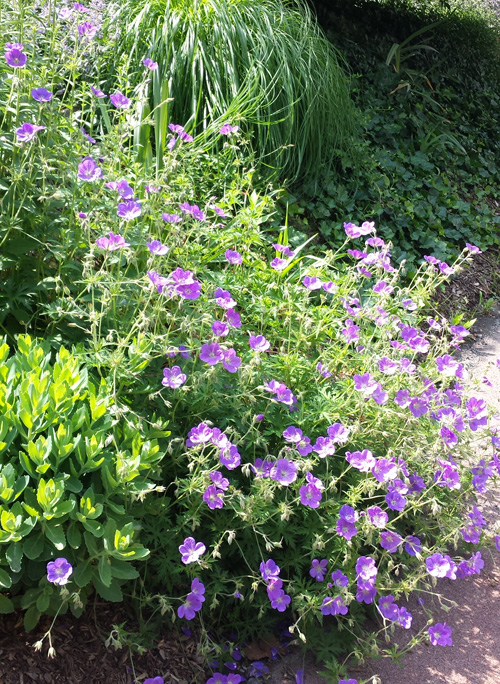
269	57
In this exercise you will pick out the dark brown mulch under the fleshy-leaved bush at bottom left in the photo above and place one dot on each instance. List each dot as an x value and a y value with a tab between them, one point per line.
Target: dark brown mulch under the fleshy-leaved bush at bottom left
82	656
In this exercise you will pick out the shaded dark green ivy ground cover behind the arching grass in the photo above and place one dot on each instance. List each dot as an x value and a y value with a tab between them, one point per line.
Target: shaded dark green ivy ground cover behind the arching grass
425	78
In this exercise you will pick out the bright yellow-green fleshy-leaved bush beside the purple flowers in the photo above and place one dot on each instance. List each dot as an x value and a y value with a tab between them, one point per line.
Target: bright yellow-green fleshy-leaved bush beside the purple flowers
72	466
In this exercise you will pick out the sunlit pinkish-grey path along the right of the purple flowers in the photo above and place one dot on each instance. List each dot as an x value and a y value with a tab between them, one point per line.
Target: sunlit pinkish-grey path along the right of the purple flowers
474	616
